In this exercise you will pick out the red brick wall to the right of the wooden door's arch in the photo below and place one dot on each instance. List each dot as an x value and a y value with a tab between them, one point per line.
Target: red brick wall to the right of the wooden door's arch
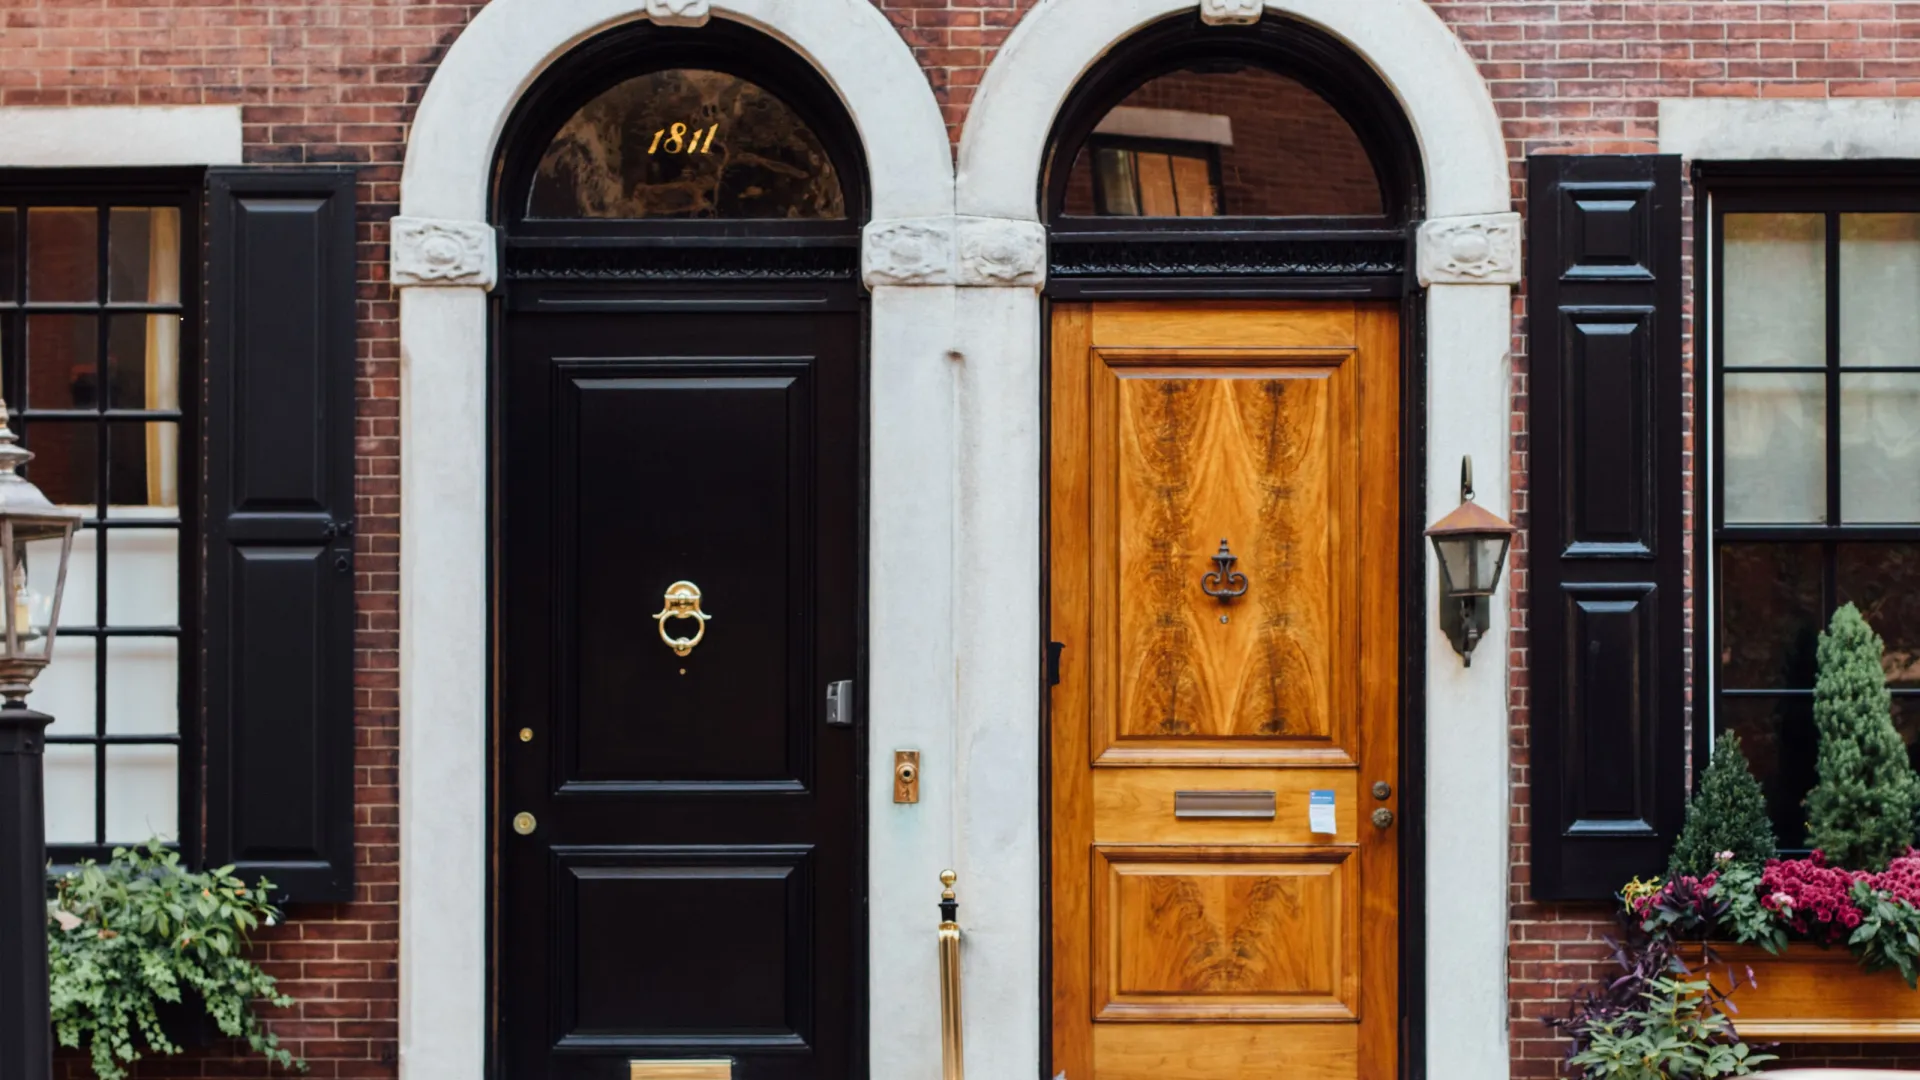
1581	78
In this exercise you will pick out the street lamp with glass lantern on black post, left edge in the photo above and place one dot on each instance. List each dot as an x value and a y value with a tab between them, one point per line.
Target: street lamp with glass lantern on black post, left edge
30	524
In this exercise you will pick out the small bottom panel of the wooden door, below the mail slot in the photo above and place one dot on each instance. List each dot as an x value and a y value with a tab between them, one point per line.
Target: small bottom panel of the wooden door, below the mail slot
1224	935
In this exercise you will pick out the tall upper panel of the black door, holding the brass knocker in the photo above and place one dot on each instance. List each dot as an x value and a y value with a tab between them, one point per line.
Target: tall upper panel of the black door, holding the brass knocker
723	464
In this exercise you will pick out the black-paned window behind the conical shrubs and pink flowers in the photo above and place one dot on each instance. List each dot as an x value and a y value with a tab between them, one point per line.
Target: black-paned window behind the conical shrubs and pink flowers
1815	472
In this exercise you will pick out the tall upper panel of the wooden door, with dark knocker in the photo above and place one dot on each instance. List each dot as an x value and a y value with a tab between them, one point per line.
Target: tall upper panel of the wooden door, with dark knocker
1253	451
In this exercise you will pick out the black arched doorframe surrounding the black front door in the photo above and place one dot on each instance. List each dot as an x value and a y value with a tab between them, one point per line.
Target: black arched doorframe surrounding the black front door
663	266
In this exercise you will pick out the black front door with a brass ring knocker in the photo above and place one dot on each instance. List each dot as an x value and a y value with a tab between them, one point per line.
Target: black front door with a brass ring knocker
679	827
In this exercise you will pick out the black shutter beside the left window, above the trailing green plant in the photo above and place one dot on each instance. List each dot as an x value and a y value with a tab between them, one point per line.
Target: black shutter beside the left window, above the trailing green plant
277	616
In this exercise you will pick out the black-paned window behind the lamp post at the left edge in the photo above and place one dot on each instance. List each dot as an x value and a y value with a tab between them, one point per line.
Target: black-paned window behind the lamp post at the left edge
97	343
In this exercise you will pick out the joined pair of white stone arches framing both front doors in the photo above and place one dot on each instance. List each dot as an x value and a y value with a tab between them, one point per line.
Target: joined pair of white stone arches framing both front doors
955	503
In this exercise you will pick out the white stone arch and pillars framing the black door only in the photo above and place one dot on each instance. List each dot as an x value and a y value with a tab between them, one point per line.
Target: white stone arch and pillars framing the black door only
443	262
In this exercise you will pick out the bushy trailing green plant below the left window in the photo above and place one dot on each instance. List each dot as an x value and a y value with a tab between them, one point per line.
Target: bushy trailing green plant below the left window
141	931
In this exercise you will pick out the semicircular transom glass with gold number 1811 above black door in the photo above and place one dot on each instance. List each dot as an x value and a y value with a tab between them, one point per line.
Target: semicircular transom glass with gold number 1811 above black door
686	145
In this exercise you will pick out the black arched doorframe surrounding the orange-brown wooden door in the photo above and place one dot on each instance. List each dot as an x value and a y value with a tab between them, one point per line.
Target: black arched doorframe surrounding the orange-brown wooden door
1262	258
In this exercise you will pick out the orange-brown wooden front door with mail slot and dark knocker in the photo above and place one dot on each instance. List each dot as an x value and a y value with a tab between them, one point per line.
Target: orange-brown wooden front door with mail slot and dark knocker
1224	733
